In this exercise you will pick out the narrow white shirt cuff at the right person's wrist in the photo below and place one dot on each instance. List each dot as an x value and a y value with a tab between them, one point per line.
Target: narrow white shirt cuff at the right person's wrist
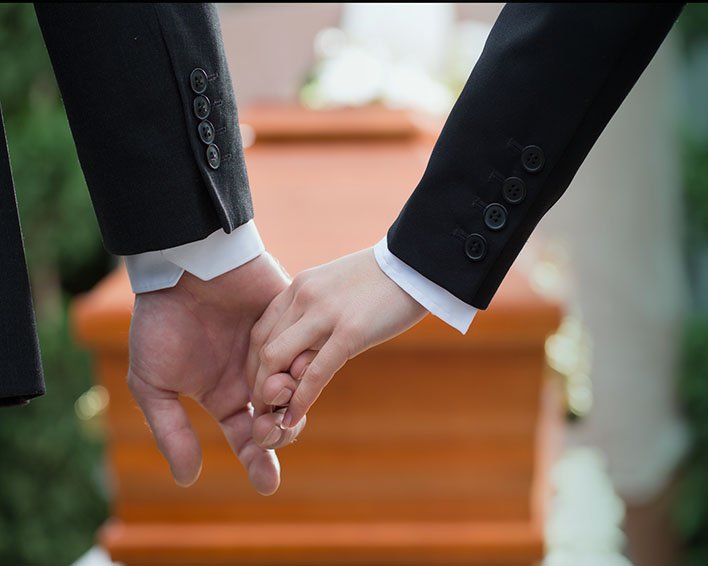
440	302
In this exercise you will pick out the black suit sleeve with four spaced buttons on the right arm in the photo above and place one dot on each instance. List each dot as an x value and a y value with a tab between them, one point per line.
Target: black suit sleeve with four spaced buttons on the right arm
549	79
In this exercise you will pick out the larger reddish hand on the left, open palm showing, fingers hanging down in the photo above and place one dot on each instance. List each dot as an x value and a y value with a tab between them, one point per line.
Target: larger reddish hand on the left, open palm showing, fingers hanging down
193	340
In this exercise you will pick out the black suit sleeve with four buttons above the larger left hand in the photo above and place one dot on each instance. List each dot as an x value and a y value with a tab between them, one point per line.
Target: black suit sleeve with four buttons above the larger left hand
125	74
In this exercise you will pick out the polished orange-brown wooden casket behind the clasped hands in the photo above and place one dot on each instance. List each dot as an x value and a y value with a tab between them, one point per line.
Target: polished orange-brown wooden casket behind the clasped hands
430	449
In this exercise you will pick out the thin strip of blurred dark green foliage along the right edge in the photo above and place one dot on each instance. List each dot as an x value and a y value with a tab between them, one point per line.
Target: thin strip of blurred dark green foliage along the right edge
691	505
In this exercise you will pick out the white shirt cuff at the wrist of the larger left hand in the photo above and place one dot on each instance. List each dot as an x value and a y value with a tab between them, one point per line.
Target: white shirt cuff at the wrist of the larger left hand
208	258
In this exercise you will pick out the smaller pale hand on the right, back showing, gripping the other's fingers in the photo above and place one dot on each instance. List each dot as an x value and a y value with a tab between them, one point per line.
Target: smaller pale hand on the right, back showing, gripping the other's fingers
328	315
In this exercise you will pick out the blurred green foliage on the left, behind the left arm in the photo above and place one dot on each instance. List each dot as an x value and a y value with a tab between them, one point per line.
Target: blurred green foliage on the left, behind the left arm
51	493
